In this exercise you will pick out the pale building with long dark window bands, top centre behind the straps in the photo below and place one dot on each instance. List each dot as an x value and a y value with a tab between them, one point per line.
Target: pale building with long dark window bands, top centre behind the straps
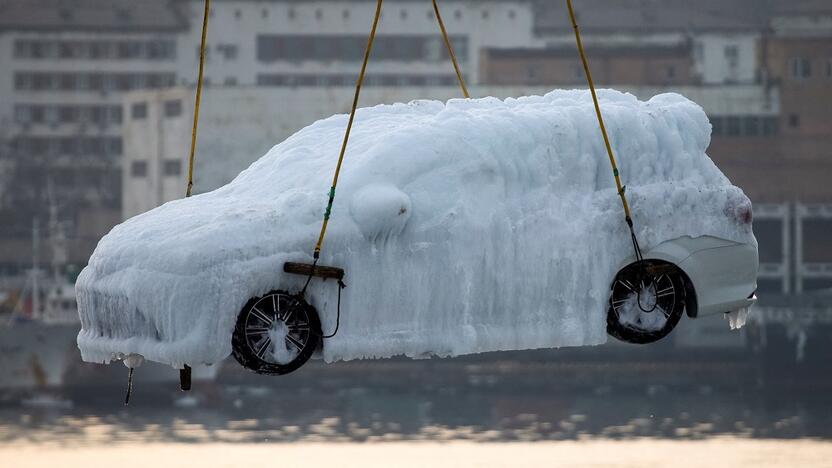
285	43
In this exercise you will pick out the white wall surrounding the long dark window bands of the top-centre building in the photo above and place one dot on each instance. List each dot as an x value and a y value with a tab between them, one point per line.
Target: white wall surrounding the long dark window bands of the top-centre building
494	23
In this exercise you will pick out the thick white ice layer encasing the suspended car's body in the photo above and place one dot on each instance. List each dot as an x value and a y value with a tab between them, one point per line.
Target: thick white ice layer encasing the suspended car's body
463	227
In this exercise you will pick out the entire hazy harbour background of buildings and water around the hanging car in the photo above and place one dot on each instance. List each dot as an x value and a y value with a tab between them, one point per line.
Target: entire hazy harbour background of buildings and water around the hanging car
96	102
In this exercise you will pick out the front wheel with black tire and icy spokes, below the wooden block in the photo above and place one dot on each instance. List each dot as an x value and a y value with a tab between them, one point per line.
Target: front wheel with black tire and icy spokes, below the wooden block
276	312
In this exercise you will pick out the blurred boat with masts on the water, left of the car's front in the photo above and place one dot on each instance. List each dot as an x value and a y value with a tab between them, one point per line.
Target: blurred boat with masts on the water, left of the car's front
38	350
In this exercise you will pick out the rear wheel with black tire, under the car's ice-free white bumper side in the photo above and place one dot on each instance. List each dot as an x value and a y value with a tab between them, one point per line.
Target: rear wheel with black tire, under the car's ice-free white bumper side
638	293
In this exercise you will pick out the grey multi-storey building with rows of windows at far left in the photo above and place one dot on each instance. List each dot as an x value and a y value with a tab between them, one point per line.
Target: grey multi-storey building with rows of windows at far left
64	68
